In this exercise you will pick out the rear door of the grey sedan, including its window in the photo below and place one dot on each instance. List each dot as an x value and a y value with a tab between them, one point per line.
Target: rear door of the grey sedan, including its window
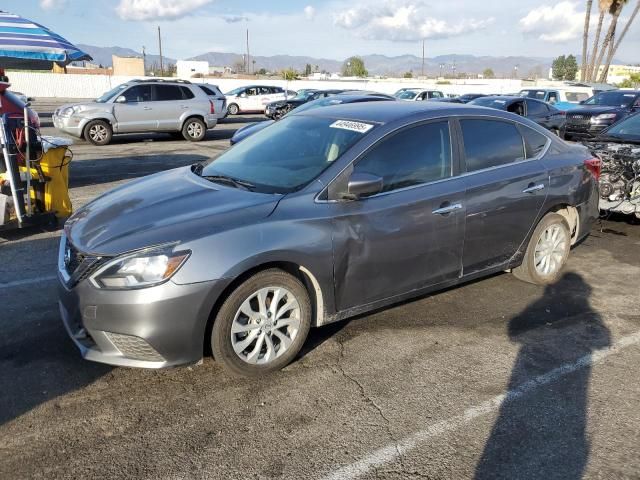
506	186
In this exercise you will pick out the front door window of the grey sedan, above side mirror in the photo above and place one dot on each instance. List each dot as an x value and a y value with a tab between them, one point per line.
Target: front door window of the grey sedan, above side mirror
414	156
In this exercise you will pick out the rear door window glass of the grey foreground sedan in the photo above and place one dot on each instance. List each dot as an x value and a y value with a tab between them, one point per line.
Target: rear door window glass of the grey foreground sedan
491	143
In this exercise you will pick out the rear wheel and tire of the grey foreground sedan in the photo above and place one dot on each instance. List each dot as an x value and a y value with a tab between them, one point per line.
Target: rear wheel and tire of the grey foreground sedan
547	251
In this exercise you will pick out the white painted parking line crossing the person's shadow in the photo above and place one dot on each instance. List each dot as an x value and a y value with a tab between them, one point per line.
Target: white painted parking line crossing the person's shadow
390	453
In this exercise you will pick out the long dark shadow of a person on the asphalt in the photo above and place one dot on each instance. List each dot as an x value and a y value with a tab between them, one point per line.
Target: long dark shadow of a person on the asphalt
543	434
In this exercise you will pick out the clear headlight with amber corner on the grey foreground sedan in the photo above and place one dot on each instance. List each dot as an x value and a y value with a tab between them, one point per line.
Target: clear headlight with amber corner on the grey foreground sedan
139	270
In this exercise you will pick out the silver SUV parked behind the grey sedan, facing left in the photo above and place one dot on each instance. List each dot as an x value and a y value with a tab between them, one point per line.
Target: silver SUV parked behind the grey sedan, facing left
139	106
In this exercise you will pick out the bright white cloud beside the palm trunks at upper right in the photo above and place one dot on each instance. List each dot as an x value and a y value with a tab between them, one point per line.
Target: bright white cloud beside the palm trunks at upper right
554	23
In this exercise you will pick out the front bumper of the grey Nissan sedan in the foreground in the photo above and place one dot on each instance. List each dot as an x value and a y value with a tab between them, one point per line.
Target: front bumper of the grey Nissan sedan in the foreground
154	327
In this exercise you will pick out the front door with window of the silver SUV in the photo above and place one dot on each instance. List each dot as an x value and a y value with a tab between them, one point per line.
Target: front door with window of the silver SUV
136	114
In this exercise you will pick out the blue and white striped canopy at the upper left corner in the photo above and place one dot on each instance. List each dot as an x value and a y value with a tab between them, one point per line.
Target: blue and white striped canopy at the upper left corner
26	44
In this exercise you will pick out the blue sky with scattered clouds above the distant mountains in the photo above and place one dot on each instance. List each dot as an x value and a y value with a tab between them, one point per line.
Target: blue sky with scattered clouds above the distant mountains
334	29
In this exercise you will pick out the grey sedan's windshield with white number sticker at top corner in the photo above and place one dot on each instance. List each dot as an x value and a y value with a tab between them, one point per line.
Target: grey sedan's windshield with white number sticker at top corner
289	154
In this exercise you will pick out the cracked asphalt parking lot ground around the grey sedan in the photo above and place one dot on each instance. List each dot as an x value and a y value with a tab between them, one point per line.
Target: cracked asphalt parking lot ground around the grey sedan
494	379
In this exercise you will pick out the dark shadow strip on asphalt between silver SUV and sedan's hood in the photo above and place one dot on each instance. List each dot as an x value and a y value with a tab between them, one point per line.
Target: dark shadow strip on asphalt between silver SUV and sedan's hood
113	169
